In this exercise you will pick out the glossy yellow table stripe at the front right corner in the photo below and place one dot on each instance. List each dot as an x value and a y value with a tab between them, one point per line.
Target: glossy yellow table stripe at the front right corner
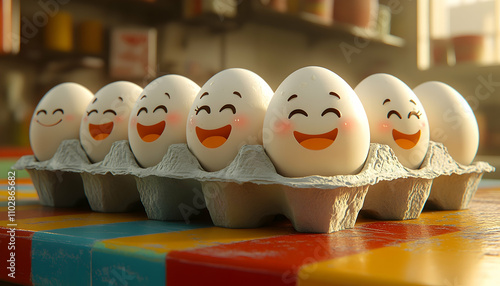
442	260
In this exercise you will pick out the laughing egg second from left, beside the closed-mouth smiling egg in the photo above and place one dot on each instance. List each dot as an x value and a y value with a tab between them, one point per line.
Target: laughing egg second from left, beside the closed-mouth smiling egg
106	118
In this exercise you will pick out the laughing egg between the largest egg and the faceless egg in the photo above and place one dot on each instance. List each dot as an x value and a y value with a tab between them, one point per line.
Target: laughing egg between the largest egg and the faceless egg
396	116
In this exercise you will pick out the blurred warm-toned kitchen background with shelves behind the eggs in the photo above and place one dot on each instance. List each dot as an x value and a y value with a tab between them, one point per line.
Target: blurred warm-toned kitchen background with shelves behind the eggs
94	42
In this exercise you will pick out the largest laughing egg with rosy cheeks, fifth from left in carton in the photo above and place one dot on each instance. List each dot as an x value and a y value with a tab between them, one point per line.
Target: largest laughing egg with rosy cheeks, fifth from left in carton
316	125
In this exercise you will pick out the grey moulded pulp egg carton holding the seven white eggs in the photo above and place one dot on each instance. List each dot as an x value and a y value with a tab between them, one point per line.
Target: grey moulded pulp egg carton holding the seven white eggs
249	192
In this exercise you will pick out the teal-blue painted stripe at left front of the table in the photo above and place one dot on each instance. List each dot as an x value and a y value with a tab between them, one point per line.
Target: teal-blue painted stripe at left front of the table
75	256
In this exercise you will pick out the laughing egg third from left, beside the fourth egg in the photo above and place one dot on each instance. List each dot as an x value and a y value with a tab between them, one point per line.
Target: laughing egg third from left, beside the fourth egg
158	118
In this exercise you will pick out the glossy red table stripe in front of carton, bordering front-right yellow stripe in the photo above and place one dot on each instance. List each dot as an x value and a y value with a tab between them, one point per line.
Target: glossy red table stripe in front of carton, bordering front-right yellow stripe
277	260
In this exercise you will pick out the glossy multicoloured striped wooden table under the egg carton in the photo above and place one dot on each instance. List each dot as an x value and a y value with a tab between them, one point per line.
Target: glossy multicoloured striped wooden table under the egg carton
55	246
